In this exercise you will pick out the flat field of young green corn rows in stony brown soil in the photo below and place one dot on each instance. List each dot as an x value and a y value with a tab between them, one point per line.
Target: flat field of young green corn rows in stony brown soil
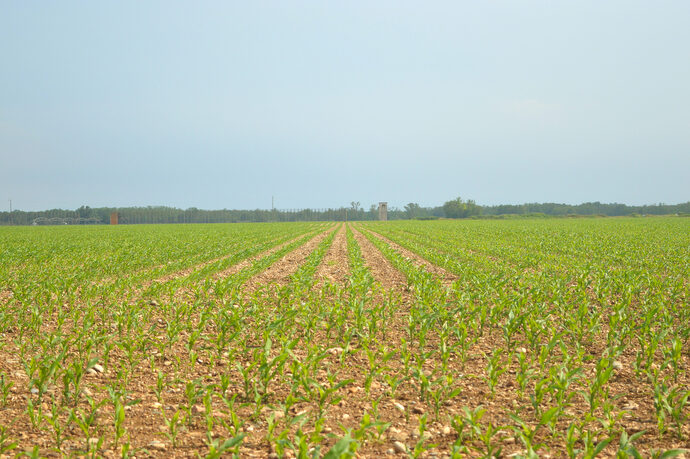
475	338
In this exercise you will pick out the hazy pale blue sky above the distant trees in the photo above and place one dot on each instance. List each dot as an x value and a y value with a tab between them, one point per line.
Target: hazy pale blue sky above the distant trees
229	104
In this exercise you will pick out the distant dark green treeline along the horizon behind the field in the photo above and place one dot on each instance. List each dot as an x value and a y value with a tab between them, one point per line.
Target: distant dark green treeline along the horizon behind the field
455	208
